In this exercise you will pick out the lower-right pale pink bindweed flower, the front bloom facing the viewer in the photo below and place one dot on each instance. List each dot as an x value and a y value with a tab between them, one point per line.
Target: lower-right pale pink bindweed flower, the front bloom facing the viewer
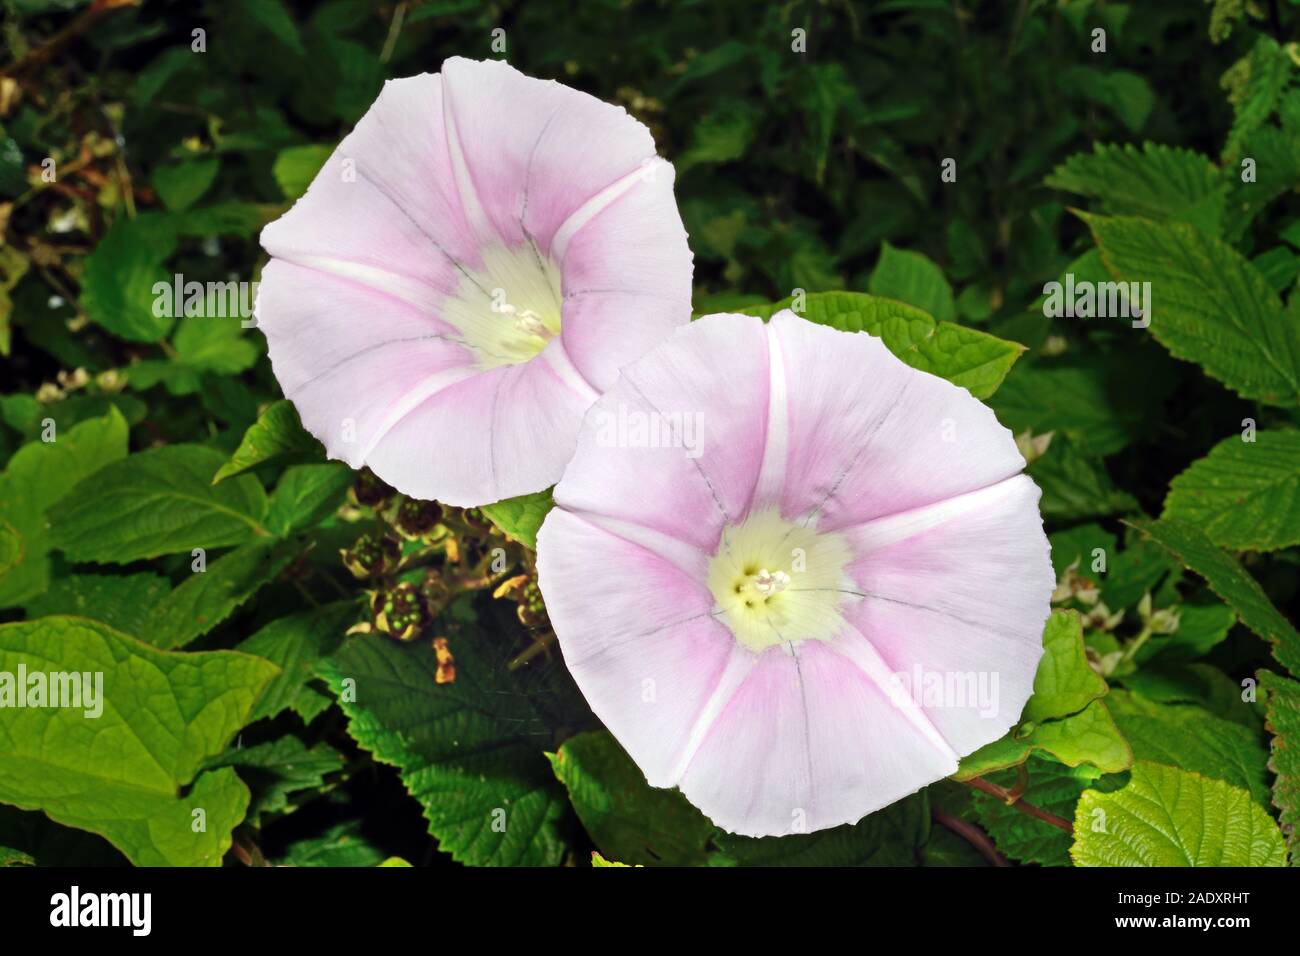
821	603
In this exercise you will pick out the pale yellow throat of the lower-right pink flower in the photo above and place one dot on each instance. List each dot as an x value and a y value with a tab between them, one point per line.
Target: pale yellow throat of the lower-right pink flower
777	582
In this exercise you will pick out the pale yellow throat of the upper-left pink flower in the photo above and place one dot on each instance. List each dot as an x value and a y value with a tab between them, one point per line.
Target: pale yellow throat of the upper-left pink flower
510	309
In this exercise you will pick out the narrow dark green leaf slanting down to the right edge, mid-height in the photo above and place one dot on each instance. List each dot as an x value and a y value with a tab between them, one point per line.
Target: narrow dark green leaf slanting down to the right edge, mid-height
1230	582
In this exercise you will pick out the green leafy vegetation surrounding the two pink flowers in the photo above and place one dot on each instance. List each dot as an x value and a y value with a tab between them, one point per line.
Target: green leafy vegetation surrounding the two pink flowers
1172	155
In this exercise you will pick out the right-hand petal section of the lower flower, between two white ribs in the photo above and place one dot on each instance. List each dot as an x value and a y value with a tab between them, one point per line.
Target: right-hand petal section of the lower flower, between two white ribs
957	595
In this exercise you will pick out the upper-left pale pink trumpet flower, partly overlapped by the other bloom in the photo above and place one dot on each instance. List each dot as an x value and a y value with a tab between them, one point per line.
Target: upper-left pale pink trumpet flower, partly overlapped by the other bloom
467	274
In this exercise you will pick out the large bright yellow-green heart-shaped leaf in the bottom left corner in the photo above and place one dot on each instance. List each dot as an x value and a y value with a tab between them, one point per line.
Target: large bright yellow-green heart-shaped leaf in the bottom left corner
129	773
